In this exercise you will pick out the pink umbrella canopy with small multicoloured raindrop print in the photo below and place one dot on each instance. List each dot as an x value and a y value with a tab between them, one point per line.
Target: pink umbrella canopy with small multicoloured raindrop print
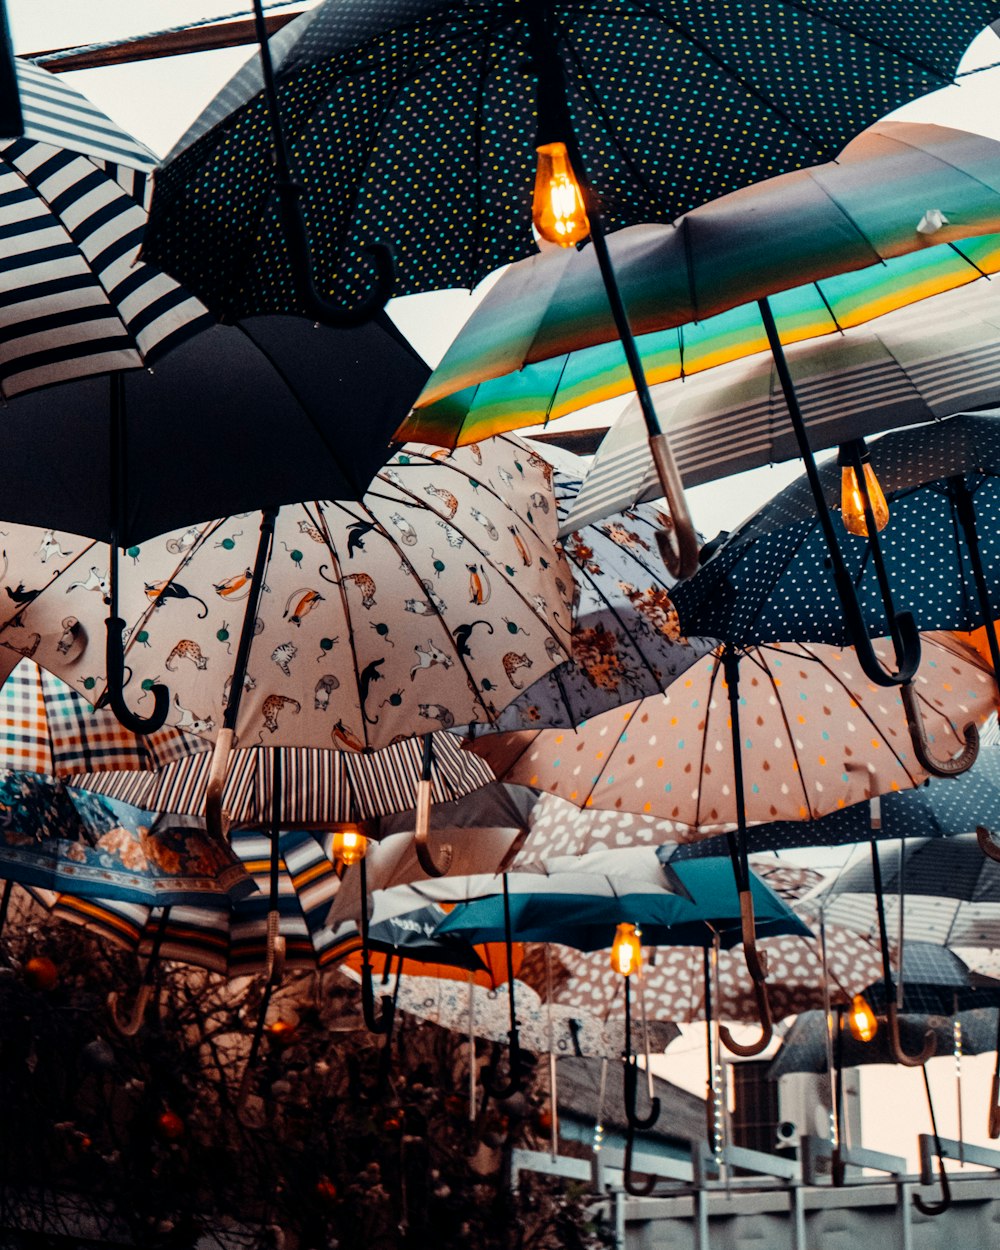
816	736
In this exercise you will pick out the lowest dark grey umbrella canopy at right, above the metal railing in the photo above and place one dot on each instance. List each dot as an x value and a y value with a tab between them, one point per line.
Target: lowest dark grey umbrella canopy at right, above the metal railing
804	1046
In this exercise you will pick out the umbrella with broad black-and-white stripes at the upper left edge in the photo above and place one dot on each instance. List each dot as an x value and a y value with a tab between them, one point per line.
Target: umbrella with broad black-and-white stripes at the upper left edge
77	301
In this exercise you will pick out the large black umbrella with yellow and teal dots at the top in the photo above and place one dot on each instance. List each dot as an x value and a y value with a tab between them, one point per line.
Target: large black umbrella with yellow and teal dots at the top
558	107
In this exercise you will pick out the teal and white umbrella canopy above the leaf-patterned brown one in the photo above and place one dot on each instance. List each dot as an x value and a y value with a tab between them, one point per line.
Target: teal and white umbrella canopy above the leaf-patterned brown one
581	901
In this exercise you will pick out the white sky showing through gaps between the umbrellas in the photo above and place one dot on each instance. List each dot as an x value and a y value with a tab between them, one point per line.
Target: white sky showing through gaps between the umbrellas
157	101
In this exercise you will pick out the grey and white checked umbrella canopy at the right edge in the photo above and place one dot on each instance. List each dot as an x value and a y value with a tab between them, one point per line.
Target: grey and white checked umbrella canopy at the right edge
948	888
